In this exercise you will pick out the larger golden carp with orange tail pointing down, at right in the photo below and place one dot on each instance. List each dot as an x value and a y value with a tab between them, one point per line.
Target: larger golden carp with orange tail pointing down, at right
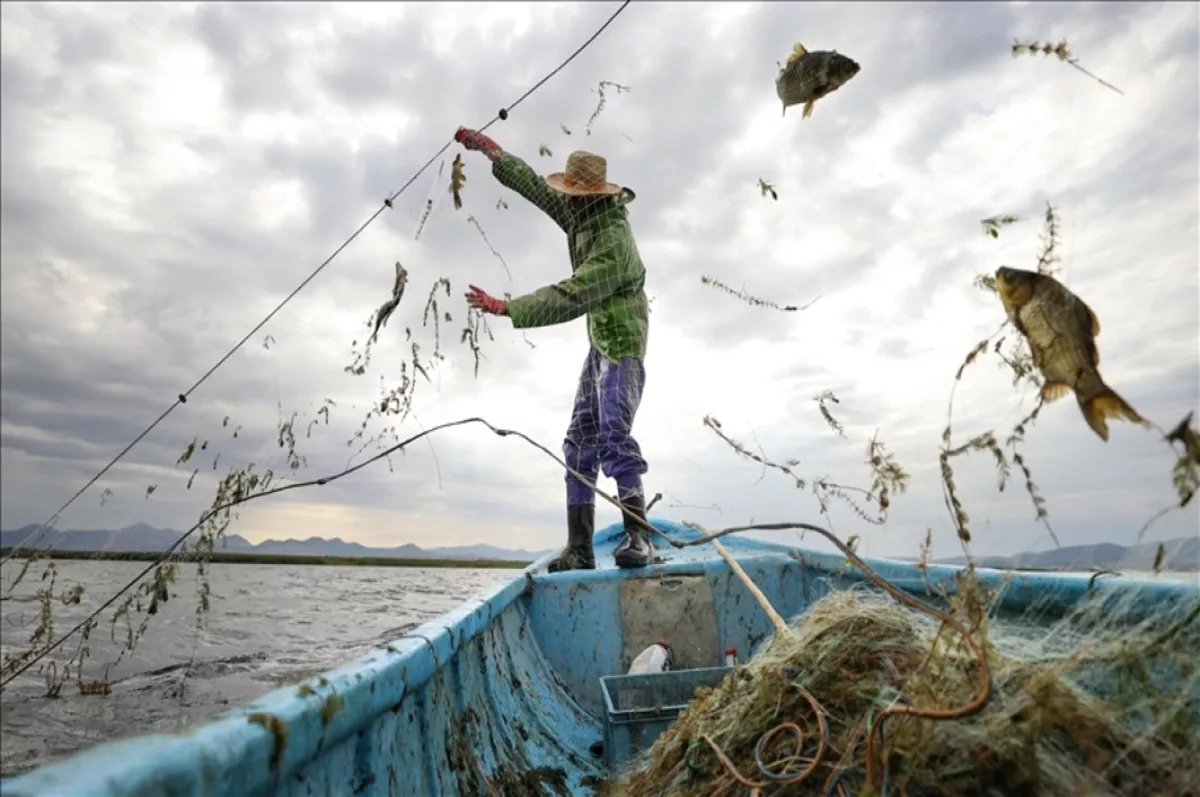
1061	331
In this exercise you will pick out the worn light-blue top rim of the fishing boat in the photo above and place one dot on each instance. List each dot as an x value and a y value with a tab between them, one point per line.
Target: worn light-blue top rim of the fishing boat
232	742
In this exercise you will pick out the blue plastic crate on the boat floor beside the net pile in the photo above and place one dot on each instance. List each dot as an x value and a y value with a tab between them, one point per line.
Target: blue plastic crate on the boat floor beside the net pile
640	708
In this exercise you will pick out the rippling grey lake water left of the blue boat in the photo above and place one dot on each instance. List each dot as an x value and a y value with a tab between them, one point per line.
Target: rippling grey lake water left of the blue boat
268	625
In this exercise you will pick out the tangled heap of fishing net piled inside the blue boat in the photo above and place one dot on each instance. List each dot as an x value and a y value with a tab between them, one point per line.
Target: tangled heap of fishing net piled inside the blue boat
796	720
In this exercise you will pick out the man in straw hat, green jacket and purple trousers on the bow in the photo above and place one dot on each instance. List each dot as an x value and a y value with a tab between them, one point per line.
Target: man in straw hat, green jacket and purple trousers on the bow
607	285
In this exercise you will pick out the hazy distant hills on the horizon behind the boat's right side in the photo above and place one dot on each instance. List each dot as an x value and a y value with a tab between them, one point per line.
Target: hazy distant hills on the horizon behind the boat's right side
1183	555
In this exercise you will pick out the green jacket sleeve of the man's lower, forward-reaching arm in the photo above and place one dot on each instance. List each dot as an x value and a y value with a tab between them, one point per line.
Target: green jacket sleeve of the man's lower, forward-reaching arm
611	269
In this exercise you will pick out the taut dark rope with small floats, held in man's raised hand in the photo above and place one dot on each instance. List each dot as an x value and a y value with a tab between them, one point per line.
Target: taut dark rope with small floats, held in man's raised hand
387	206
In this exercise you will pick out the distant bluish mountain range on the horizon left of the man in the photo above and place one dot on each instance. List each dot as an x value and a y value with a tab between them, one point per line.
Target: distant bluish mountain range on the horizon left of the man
142	537
